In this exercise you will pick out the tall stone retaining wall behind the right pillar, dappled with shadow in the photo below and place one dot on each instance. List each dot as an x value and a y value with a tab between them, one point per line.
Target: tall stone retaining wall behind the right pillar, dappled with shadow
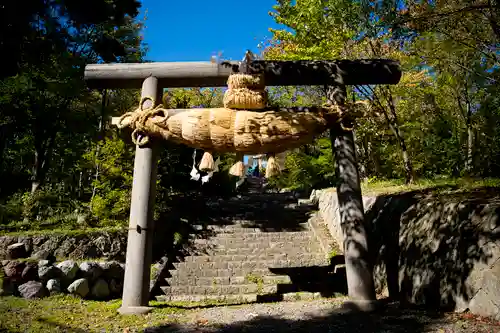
433	249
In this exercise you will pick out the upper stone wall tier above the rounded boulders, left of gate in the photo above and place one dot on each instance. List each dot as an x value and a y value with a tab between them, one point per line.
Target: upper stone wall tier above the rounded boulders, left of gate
102	244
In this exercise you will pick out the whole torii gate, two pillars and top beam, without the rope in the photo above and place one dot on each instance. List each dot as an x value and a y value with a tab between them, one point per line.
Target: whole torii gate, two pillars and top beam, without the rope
153	77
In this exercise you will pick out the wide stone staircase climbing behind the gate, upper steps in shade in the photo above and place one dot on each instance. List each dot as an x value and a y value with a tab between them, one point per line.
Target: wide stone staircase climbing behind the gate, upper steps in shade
265	250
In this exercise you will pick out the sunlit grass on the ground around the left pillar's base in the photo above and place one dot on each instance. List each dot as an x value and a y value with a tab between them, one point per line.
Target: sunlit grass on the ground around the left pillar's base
63	313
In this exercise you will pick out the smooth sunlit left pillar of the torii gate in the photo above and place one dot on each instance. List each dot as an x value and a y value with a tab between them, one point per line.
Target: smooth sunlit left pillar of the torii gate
135	297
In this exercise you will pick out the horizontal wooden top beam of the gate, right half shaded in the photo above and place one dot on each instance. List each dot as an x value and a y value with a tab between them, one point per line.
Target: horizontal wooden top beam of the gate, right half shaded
277	73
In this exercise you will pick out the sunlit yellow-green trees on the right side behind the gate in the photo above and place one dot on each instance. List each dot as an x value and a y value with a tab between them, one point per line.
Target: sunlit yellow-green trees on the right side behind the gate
441	114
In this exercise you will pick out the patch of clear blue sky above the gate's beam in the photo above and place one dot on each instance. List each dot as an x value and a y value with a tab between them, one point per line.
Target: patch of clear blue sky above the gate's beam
195	30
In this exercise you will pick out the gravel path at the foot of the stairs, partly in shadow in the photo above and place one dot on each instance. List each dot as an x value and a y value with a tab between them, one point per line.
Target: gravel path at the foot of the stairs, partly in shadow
322	316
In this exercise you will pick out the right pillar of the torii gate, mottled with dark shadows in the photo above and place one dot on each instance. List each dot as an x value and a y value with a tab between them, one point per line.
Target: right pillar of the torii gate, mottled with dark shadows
358	268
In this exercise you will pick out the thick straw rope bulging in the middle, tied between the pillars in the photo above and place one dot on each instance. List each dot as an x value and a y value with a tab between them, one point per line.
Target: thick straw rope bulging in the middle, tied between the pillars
230	129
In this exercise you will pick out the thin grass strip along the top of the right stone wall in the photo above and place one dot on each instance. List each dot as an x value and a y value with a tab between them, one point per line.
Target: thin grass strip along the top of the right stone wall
380	187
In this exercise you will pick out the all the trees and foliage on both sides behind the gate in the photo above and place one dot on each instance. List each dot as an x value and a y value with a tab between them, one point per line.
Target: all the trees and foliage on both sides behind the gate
63	166
